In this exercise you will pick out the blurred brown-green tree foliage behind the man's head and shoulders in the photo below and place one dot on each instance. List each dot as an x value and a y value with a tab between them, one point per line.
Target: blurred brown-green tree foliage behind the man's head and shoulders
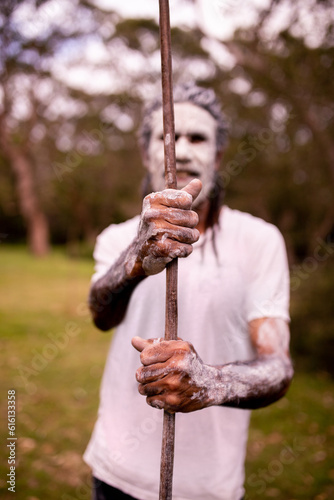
79	141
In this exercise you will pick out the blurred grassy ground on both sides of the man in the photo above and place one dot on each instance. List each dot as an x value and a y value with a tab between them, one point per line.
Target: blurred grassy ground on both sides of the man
54	358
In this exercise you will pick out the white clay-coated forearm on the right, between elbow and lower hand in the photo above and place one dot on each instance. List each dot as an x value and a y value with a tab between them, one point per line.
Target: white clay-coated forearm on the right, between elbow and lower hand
251	385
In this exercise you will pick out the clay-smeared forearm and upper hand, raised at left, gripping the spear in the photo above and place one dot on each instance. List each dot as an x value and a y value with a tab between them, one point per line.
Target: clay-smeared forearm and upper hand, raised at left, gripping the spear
166	230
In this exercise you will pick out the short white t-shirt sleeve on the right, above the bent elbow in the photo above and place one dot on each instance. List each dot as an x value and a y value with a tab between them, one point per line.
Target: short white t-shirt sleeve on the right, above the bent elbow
268	291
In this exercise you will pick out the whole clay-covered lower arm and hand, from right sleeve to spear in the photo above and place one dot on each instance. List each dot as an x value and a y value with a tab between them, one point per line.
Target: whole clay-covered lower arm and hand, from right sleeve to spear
175	378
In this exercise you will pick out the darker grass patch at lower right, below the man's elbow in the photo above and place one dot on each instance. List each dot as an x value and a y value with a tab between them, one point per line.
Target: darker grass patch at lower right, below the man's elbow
291	444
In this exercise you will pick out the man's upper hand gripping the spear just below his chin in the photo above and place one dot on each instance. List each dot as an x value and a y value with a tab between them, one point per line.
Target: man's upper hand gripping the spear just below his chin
166	229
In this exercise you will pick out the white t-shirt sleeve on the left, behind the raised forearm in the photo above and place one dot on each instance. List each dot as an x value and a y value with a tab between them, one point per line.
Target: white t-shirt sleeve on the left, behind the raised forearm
110	244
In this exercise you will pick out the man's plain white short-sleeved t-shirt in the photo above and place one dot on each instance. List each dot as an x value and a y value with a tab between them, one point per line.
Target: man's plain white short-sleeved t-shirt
218	294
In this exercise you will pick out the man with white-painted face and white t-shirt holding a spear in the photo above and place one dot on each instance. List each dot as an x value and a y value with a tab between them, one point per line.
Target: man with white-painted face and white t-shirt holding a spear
233	321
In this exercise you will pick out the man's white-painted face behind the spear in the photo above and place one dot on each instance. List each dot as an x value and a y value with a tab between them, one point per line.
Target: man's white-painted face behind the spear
195	148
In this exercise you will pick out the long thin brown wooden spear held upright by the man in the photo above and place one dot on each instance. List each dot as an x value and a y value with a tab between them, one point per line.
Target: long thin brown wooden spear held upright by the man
168	434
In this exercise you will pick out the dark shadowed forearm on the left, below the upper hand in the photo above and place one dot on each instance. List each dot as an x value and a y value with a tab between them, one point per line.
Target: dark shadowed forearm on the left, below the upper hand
110	295
